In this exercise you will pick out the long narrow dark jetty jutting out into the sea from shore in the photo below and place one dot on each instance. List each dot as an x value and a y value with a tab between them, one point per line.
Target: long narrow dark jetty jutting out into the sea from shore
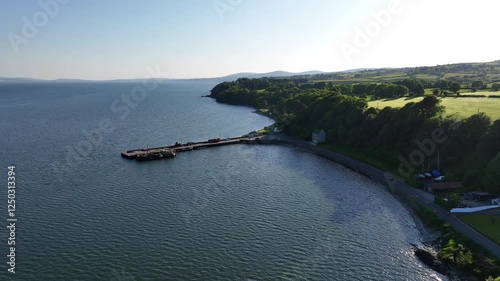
155	153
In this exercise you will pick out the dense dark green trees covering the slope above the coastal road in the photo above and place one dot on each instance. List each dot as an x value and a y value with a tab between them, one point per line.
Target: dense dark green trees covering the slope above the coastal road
471	152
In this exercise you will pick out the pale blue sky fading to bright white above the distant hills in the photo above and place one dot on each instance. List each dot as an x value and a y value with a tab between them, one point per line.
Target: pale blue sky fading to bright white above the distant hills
112	39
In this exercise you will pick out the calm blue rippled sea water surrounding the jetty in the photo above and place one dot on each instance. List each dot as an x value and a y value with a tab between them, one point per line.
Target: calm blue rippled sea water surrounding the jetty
230	213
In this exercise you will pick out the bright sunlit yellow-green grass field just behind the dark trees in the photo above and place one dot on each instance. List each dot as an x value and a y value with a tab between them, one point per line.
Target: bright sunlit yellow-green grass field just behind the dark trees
462	107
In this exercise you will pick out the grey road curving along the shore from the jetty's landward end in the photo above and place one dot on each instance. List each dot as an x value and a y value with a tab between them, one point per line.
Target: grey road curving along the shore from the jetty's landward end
393	182
